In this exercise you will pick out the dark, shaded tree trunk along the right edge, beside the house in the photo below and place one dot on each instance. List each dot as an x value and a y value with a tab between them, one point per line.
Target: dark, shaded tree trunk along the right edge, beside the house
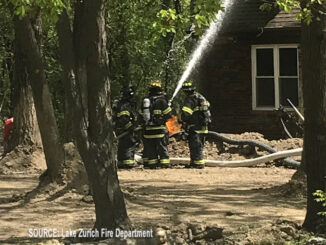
314	94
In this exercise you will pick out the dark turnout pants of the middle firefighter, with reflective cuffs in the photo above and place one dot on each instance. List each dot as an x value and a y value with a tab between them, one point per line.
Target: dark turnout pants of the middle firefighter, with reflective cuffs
158	150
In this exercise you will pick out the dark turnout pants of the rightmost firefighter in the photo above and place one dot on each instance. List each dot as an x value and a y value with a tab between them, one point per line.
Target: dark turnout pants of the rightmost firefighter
196	143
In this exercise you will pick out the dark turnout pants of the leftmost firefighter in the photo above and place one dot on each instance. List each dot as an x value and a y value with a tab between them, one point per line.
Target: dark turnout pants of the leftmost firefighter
126	149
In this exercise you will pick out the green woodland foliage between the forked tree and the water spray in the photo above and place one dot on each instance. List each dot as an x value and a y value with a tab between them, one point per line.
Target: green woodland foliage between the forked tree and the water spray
148	41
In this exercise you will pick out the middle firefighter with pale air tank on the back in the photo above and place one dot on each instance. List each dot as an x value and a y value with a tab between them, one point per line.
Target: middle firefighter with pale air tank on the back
155	112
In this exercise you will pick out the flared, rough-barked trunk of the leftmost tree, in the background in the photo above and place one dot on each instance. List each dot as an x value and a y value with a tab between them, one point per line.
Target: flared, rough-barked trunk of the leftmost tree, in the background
25	130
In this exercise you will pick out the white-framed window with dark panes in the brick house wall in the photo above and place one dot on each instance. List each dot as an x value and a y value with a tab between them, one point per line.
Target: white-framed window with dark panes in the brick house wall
274	76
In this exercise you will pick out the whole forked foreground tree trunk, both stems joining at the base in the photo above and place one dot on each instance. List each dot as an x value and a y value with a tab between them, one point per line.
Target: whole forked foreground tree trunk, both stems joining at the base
94	135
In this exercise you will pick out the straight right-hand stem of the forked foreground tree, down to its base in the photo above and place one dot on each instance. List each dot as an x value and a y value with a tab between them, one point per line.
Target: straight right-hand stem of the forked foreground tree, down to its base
100	163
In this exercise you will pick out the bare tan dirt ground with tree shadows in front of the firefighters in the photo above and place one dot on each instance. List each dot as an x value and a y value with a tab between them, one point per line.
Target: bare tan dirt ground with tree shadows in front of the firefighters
248	203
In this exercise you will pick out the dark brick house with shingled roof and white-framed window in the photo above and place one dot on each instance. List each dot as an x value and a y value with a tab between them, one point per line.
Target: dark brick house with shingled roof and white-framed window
252	68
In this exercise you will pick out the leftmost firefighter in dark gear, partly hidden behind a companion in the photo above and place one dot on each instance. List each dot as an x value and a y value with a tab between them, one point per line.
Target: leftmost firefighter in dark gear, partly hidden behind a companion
125	115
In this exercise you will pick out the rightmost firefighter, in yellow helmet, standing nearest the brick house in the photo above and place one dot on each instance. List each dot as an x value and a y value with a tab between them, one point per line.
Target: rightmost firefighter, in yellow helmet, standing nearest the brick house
195	119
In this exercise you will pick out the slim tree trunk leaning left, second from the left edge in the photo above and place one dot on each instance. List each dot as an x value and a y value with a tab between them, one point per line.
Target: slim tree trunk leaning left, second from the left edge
53	149
